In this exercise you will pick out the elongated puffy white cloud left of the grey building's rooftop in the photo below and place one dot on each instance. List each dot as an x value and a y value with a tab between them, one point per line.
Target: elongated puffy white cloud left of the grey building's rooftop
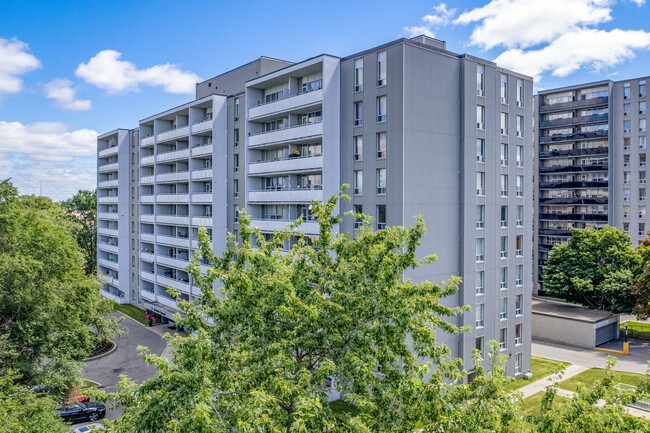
106	71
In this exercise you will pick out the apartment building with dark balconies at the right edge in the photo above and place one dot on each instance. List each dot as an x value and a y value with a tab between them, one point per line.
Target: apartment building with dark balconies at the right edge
592	157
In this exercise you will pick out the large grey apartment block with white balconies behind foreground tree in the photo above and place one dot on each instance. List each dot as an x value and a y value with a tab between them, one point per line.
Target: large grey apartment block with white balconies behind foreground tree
413	128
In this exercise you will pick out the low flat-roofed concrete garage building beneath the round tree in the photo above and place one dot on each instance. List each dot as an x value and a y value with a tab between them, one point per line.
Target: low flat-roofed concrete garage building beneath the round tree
573	325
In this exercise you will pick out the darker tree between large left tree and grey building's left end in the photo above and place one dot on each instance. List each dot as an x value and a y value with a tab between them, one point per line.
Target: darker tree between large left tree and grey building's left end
82	209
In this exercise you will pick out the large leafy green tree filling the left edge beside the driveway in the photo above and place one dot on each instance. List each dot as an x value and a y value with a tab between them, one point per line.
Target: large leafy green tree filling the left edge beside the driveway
48	305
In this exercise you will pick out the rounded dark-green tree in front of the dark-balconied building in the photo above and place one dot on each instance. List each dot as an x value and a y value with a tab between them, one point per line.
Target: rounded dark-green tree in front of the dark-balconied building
596	268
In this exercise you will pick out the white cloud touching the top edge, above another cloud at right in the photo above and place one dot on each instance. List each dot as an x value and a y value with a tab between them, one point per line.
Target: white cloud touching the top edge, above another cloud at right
525	23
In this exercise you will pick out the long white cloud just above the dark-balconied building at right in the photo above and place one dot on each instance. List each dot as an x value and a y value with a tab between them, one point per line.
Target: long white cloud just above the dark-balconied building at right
596	49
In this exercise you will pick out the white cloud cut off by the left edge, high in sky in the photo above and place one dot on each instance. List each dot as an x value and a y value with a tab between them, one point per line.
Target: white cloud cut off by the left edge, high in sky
15	61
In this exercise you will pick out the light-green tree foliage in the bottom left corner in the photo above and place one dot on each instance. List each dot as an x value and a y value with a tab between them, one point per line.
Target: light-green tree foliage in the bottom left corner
23	412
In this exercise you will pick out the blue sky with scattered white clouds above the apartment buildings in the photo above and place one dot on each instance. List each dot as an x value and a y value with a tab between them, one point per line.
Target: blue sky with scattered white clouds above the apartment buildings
70	70
